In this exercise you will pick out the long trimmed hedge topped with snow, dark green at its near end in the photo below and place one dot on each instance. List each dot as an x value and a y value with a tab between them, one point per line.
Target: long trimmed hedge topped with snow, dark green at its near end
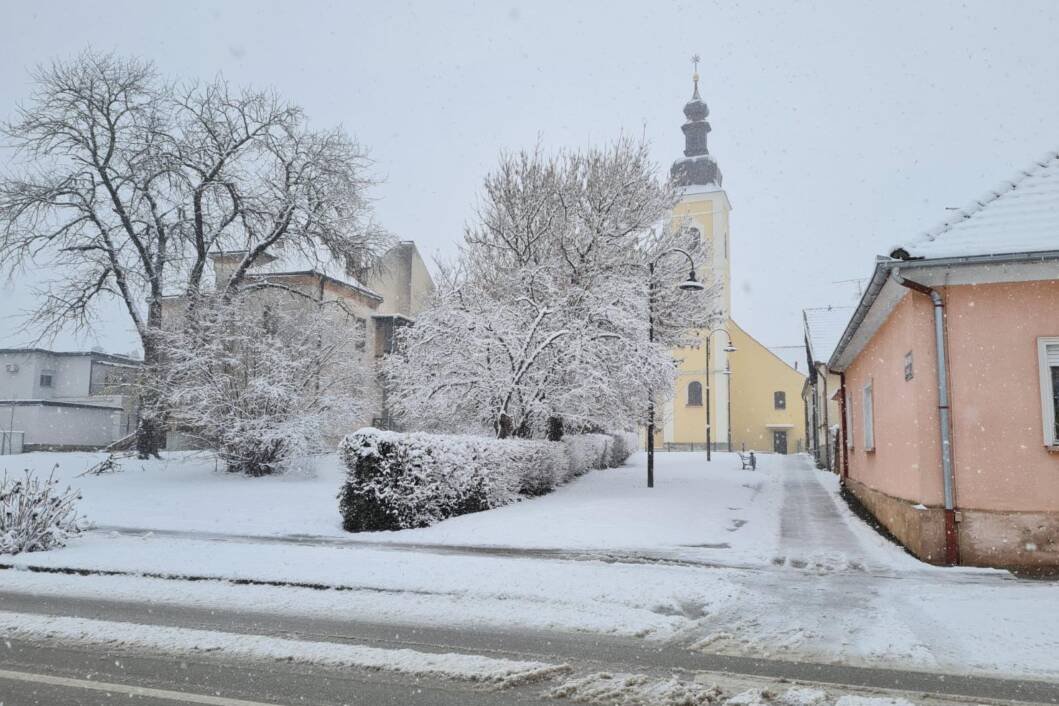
400	481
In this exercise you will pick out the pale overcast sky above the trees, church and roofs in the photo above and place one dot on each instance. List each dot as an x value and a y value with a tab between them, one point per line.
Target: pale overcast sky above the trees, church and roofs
841	128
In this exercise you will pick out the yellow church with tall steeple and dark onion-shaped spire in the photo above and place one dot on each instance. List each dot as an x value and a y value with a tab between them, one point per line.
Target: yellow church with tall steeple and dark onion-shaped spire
748	397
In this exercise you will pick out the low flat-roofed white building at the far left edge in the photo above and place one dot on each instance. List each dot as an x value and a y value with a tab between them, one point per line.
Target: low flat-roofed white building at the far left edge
64	401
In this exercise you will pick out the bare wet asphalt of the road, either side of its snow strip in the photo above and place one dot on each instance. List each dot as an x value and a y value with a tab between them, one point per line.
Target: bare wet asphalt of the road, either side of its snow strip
42	674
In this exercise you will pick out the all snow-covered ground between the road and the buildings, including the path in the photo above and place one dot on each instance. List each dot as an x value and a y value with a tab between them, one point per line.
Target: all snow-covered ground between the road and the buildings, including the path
714	558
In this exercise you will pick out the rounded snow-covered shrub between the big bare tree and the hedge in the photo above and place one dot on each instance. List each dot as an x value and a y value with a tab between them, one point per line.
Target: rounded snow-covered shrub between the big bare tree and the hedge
265	377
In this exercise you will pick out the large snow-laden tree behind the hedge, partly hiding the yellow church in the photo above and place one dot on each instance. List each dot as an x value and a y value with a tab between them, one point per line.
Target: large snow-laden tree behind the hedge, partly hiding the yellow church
543	324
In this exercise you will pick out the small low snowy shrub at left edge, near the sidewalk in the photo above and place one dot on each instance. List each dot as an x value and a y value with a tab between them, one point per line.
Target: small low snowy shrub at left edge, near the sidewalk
34	515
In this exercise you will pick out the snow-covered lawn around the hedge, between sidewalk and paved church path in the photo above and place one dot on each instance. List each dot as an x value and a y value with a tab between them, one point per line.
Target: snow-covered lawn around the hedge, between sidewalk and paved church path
694	504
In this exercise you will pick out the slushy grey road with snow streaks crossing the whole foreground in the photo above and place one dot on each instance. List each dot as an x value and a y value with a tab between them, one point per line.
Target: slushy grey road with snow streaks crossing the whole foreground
222	674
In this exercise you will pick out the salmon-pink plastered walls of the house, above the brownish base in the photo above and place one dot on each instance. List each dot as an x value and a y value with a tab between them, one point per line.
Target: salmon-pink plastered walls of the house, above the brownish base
998	439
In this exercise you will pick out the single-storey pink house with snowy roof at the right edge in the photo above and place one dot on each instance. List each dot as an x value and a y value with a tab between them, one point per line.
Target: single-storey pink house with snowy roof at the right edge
950	384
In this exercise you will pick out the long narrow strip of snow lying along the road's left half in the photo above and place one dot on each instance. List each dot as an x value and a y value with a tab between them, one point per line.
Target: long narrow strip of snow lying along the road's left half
494	672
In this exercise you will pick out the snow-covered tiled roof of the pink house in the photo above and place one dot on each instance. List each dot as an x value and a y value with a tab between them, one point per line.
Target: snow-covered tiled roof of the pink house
1020	216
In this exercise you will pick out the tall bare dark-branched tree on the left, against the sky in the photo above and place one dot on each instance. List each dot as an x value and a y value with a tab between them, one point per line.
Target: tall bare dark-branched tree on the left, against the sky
127	184
